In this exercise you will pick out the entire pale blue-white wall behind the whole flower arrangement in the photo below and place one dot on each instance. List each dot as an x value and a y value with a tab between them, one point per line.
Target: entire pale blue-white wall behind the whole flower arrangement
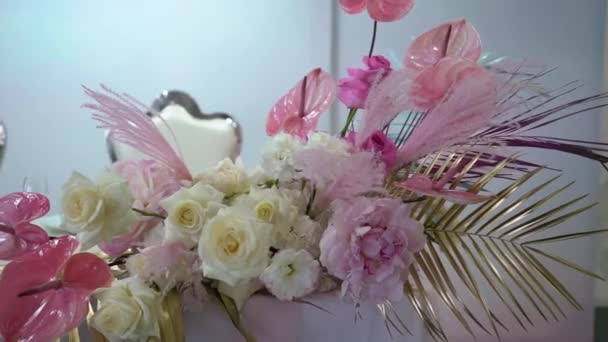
239	57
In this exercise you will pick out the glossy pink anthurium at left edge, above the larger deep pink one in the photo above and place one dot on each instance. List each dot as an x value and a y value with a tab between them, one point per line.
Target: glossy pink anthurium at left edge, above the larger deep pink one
17	235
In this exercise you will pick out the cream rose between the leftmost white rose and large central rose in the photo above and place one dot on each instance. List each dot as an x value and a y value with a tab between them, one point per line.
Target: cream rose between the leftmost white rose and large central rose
187	211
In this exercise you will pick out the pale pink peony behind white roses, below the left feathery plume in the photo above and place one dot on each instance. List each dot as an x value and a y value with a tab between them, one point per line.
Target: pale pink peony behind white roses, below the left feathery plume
149	182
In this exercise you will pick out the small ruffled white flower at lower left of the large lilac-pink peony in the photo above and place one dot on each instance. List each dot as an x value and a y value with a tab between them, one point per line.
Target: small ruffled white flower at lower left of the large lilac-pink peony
292	274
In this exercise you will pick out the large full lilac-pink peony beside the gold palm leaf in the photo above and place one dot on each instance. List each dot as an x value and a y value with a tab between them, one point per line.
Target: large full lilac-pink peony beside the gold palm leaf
369	245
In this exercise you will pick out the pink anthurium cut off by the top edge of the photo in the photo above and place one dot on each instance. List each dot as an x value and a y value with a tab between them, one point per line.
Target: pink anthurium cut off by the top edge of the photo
380	10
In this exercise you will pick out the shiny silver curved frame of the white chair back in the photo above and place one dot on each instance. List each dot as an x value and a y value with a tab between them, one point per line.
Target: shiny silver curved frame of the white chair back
184	100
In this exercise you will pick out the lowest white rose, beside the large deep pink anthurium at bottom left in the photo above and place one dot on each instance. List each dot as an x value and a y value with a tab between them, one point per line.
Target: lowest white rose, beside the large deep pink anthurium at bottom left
128	310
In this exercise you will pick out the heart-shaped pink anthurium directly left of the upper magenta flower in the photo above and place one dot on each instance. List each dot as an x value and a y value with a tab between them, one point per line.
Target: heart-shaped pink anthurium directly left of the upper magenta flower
298	112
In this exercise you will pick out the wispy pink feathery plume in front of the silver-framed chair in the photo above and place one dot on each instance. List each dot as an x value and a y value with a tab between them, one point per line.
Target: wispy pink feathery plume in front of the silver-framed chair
128	123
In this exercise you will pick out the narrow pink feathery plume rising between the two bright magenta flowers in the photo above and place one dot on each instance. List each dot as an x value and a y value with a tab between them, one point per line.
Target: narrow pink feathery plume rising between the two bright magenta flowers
387	98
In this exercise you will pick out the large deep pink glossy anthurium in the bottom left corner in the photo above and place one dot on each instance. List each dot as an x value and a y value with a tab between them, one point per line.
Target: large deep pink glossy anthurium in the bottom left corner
45	294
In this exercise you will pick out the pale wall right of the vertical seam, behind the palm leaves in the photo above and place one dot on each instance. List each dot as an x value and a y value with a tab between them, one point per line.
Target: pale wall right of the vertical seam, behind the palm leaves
558	32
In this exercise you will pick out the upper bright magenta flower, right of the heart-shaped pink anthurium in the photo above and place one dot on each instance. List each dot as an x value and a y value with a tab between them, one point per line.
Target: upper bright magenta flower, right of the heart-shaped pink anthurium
353	90
